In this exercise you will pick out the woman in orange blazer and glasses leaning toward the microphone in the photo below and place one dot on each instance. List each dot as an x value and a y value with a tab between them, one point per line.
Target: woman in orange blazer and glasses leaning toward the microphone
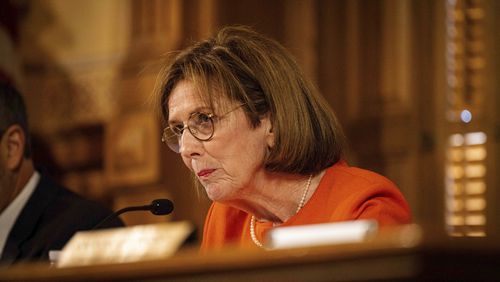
263	143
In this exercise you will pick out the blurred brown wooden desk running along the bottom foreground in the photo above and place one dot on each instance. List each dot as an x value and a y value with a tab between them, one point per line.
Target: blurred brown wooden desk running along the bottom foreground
402	255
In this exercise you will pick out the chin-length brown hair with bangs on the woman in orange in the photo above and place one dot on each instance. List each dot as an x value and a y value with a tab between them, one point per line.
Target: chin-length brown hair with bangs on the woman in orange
258	72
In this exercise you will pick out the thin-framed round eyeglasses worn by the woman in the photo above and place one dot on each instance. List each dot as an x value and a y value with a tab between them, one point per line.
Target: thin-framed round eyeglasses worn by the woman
199	124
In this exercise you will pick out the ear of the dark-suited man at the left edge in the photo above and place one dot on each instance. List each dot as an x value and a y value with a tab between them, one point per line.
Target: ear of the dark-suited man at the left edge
13	141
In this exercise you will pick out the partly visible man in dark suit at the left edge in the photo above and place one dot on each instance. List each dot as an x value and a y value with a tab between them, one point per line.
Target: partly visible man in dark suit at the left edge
36	214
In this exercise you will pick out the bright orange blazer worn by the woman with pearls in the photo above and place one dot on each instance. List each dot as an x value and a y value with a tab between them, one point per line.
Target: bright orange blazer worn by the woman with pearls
344	193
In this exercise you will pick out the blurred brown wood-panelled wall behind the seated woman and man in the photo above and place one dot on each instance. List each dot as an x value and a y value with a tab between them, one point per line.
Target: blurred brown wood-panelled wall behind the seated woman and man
414	83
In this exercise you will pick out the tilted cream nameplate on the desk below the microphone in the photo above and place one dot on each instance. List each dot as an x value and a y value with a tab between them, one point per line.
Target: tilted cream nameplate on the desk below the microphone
128	244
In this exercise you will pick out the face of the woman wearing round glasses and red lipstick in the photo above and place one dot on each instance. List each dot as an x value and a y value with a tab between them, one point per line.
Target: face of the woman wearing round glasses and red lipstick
229	164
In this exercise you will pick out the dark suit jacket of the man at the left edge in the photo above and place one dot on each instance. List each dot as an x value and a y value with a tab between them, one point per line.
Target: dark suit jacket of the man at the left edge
49	219
